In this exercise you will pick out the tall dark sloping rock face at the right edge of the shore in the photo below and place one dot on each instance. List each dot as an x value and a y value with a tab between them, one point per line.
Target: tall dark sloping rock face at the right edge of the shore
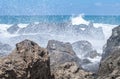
110	63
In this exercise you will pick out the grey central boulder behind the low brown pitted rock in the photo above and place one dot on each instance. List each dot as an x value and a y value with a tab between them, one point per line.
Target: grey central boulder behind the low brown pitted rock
61	53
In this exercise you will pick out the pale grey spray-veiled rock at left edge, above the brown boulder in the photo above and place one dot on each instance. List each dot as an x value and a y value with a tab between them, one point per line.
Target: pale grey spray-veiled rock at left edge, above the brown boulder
4	49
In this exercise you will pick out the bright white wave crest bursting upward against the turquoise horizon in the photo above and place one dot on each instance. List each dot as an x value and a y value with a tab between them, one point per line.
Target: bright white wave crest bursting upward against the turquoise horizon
79	20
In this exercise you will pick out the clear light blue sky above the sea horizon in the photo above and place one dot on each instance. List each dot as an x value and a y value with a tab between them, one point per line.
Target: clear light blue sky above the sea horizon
59	7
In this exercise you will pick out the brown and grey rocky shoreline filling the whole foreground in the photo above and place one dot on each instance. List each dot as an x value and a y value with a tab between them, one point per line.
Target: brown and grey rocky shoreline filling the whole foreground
59	60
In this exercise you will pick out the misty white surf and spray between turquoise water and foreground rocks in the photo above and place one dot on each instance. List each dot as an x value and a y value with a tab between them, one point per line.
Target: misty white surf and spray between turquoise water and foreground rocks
77	28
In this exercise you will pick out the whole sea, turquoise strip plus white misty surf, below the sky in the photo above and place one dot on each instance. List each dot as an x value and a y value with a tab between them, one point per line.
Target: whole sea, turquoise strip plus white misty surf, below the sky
58	27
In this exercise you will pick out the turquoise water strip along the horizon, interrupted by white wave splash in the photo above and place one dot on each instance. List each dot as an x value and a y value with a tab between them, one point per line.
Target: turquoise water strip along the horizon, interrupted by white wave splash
58	18
